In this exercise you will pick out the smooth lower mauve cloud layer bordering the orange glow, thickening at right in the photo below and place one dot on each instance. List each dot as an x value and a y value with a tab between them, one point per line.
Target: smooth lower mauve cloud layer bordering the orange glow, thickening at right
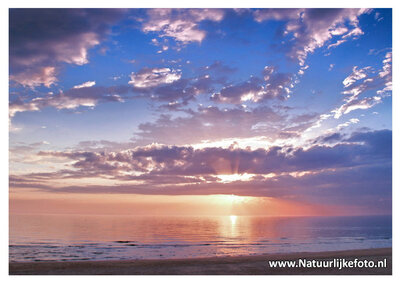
368	187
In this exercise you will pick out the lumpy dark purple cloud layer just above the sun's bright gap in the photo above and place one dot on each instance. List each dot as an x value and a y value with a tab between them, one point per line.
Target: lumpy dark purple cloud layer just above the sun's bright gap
366	149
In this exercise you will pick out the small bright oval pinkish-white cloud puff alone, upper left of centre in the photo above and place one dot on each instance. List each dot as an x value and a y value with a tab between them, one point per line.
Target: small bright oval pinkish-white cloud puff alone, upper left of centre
151	77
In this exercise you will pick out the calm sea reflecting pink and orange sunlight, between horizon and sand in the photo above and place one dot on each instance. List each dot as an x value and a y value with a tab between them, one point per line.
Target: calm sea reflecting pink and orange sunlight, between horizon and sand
97	237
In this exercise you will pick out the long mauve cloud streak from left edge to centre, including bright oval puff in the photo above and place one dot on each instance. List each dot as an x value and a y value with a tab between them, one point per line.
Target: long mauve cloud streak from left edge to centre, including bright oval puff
157	84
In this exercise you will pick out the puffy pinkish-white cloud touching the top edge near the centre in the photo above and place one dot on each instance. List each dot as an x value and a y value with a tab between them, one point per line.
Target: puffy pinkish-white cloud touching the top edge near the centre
180	24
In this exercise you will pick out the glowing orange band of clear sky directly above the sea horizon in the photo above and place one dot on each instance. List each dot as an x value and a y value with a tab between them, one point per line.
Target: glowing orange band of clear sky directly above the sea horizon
34	202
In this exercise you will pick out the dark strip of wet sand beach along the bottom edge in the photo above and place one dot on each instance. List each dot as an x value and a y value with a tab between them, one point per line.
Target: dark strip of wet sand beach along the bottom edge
238	265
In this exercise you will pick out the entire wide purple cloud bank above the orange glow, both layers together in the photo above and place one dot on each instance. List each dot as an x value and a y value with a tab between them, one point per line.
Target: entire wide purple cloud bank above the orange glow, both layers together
356	170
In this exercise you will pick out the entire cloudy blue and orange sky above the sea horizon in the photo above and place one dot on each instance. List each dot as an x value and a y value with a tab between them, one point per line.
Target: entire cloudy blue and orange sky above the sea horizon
200	111
